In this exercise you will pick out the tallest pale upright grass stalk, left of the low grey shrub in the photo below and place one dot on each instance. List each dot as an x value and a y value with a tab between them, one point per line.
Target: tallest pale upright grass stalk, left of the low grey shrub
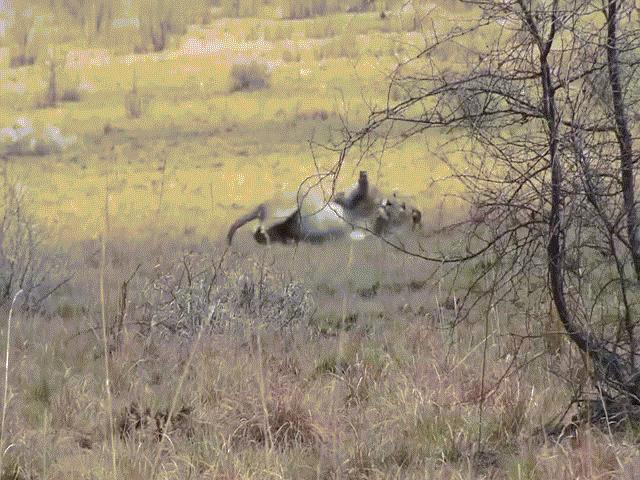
103	315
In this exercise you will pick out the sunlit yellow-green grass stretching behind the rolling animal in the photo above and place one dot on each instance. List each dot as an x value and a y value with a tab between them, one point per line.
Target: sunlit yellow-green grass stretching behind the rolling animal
196	150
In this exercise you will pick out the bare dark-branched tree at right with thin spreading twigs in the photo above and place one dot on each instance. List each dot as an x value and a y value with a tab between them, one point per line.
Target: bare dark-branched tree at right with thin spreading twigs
543	116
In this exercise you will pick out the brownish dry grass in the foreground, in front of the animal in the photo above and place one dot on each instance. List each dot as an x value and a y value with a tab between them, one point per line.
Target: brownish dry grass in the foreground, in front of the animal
381	392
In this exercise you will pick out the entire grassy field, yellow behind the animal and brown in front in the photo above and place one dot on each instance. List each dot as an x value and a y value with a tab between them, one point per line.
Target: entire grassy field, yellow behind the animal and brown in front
309	362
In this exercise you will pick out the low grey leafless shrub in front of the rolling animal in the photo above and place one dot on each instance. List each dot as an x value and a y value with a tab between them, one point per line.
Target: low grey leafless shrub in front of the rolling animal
194	293
